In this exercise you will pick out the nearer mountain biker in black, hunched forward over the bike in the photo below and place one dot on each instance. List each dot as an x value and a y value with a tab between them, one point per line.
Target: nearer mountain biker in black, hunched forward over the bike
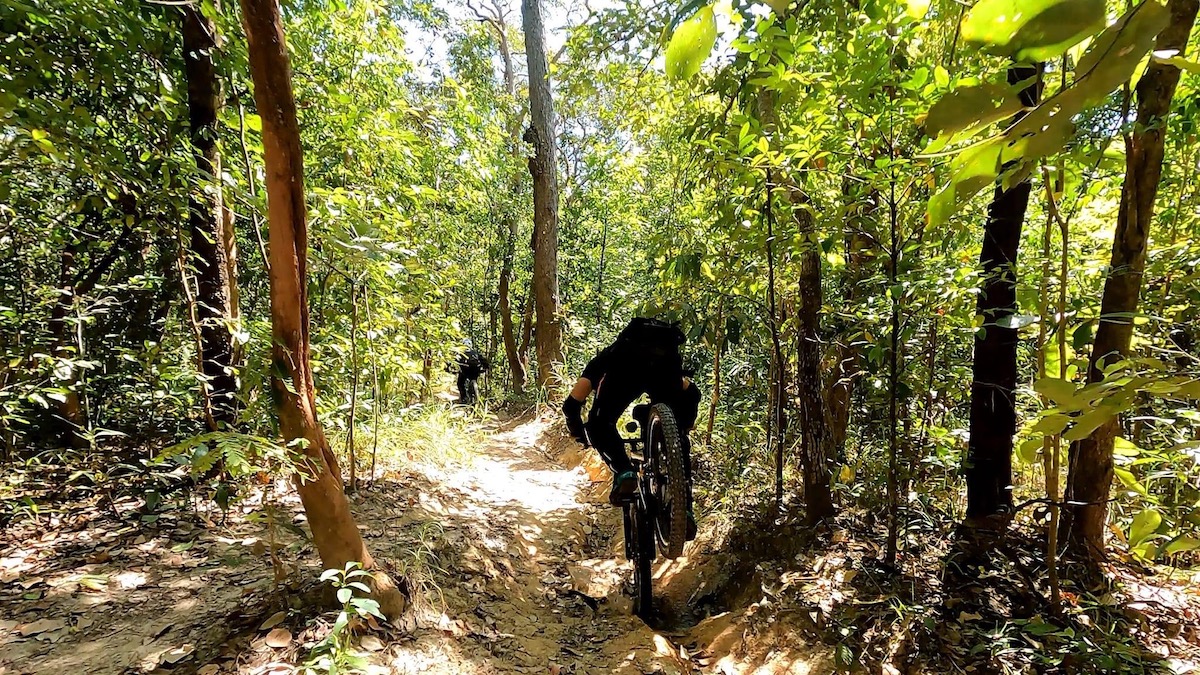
644	360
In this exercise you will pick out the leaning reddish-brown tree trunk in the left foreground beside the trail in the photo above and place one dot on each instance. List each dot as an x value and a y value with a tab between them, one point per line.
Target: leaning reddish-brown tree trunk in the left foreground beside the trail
334	530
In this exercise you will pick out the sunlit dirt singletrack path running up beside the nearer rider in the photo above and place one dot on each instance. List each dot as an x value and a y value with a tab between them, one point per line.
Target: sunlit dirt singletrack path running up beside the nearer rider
531	574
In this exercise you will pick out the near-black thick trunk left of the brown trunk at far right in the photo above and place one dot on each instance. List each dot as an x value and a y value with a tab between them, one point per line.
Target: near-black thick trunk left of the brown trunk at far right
989	463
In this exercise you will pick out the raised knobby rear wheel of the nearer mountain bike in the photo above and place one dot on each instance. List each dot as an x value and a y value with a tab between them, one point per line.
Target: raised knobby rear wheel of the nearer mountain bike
670	482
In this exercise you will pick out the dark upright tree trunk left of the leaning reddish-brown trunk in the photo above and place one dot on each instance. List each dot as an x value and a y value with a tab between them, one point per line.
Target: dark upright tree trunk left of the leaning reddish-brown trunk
212	240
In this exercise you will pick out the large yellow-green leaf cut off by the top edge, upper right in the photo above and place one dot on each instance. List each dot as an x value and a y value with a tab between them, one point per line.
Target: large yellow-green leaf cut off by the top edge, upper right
1033	31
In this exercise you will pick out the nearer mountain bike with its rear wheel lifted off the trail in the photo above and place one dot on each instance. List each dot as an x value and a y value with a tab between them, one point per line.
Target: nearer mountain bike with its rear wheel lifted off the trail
657	519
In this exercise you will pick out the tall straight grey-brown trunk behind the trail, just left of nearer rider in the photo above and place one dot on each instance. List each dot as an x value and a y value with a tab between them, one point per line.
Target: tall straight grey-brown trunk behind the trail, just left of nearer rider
544	170
